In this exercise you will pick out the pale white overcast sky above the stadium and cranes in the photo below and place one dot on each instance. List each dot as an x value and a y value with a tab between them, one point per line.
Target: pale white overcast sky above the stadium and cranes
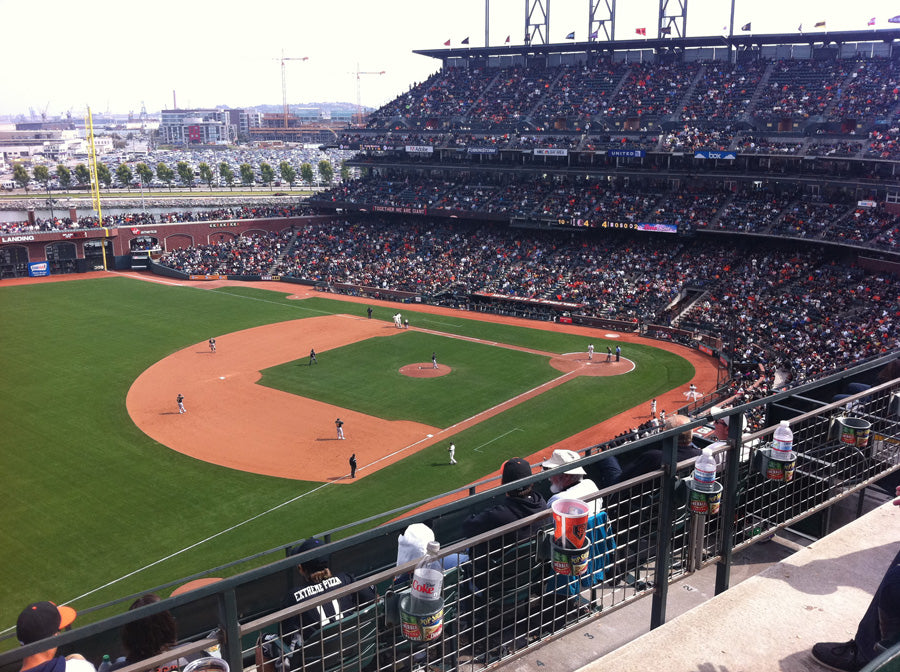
62	55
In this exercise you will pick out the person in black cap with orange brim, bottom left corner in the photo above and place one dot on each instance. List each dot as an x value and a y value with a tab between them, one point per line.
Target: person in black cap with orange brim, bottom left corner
42	620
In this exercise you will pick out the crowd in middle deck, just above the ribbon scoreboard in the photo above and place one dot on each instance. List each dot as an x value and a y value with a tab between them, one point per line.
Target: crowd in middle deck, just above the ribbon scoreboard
787	213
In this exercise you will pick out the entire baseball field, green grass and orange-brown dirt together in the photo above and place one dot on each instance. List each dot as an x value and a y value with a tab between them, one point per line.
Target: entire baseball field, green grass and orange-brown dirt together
108	490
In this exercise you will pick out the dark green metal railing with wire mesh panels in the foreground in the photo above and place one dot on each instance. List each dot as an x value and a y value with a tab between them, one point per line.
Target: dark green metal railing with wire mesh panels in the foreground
505	598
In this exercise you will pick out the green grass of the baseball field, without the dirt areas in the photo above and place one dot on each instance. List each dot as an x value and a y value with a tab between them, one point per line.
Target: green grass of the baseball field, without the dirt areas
89	498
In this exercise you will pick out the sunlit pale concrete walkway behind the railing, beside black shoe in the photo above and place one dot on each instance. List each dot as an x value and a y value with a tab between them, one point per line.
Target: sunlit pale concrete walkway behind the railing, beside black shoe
771	620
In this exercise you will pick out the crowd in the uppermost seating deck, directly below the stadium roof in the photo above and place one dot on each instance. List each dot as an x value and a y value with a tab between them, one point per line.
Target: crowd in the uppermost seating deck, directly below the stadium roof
699	93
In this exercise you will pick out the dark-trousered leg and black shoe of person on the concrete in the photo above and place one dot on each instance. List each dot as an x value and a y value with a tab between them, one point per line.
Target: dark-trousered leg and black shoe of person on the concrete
878	630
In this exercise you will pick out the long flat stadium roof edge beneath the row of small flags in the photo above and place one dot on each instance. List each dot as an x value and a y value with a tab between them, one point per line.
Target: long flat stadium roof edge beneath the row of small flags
668	44
